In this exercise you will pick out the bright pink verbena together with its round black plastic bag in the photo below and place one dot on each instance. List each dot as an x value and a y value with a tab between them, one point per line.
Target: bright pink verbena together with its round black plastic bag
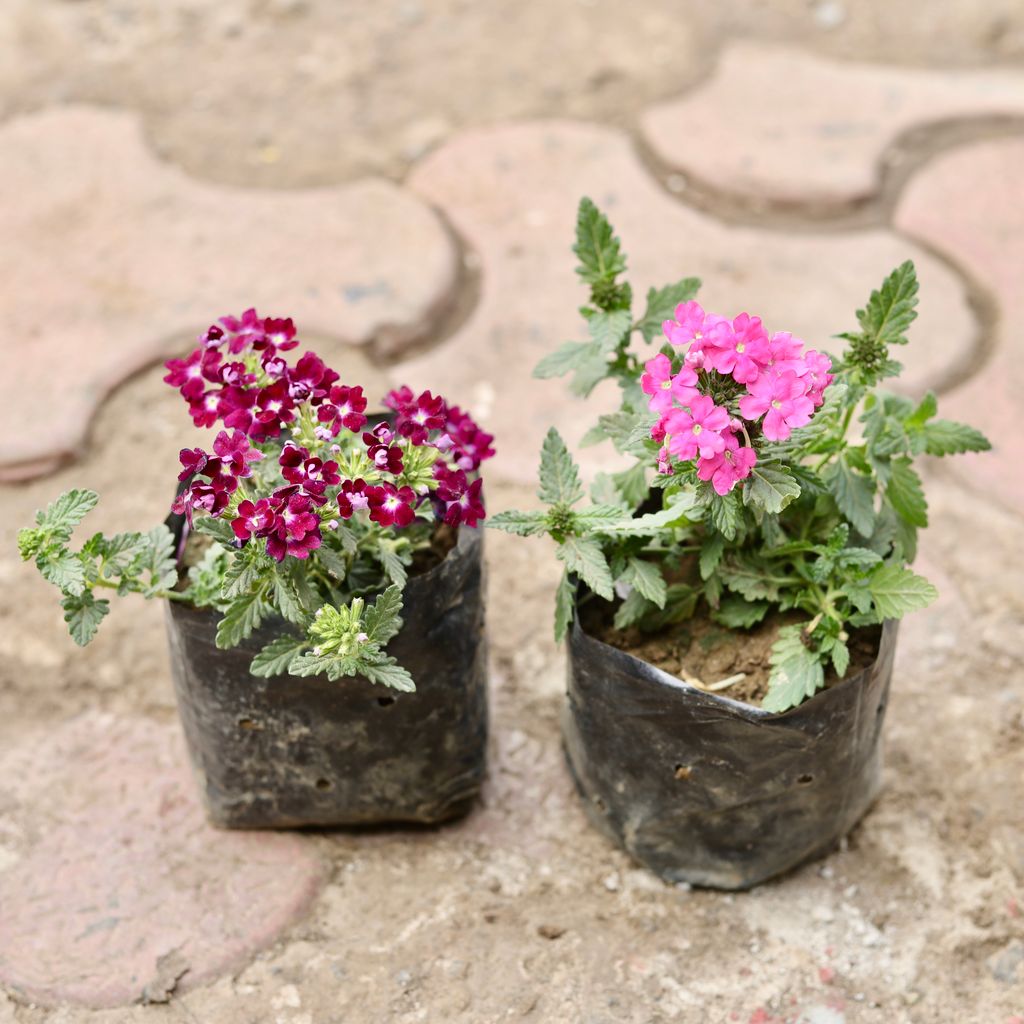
733	596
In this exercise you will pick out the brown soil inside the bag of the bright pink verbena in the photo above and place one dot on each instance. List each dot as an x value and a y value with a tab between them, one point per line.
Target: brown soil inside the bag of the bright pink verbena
708	656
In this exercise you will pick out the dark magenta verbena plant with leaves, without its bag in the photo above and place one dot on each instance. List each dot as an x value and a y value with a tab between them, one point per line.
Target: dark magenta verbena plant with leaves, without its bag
307	508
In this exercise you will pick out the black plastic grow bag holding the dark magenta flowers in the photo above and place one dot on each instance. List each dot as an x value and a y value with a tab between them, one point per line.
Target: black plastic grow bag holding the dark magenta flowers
288	751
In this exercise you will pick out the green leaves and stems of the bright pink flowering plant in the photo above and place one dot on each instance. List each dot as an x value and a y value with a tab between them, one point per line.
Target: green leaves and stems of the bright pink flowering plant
823	529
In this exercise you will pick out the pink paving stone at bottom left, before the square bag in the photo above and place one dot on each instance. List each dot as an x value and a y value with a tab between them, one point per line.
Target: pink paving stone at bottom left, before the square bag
116	868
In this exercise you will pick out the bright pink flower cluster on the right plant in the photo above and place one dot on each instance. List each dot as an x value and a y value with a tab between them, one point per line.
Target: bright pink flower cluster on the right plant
756	374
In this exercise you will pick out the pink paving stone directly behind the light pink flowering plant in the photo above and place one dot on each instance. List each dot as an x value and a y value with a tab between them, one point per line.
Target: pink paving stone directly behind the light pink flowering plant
513	192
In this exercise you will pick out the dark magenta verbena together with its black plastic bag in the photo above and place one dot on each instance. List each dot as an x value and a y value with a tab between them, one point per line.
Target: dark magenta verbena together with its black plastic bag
316	565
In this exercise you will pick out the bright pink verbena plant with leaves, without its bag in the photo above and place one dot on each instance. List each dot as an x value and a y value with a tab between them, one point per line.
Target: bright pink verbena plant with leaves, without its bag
756	495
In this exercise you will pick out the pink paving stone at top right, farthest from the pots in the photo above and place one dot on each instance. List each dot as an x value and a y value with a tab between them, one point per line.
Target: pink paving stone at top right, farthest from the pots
787	127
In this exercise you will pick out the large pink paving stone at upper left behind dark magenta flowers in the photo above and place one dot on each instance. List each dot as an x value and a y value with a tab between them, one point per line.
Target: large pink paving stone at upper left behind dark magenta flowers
110	257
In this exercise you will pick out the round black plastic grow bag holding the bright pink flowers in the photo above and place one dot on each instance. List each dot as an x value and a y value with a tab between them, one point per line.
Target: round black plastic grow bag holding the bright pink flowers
709	791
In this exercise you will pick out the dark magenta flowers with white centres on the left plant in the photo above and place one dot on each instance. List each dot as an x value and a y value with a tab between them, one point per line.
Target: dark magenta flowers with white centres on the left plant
238	375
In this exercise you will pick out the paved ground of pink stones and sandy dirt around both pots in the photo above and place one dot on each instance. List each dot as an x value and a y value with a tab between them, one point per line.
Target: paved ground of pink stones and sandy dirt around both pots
137	220
